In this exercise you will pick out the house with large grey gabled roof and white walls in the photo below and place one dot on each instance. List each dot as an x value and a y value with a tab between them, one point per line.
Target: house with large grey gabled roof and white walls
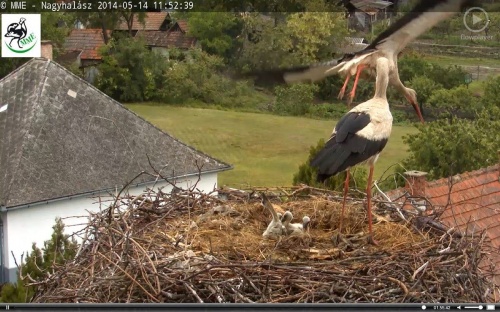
63	143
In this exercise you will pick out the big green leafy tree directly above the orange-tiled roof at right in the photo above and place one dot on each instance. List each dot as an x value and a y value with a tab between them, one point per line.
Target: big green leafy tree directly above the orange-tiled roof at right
448	147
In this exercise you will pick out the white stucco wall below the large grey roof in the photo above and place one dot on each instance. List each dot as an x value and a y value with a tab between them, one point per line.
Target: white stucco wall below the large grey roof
34	224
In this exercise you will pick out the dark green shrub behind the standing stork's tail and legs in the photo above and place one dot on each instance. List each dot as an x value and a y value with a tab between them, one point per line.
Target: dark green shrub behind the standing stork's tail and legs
307	174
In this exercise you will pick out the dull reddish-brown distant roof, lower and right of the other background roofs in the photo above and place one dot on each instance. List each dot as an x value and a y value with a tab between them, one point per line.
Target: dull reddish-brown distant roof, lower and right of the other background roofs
167	39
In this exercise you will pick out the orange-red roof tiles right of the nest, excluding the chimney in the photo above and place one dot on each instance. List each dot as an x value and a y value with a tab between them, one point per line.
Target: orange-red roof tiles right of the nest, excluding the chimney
474	203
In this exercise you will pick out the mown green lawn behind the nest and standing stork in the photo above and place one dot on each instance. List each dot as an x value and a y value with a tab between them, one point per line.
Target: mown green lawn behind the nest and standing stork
265	150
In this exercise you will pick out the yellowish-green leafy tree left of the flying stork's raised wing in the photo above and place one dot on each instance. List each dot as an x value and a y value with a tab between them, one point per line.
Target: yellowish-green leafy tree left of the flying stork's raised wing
283	40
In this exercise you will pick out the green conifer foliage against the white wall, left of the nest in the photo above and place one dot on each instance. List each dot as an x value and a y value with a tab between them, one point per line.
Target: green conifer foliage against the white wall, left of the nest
39	263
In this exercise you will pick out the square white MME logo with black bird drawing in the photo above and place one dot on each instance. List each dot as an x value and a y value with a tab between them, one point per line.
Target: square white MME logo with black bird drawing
21	35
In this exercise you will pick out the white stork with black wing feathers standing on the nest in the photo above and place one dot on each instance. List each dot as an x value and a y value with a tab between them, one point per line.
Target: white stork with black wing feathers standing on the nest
359	137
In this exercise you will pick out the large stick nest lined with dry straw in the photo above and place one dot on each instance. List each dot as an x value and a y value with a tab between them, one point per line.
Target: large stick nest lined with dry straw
191	247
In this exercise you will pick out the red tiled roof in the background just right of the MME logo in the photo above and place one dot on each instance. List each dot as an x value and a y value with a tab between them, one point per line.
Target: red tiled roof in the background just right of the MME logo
86	40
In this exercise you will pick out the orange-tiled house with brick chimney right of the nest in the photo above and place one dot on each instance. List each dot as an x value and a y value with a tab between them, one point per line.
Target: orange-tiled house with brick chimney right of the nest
471	203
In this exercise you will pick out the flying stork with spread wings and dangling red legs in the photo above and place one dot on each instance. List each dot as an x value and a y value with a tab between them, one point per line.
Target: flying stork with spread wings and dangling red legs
389	44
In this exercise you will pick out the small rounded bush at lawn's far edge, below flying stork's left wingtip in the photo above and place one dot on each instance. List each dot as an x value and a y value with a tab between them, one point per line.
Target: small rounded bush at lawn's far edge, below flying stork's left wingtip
294	100
